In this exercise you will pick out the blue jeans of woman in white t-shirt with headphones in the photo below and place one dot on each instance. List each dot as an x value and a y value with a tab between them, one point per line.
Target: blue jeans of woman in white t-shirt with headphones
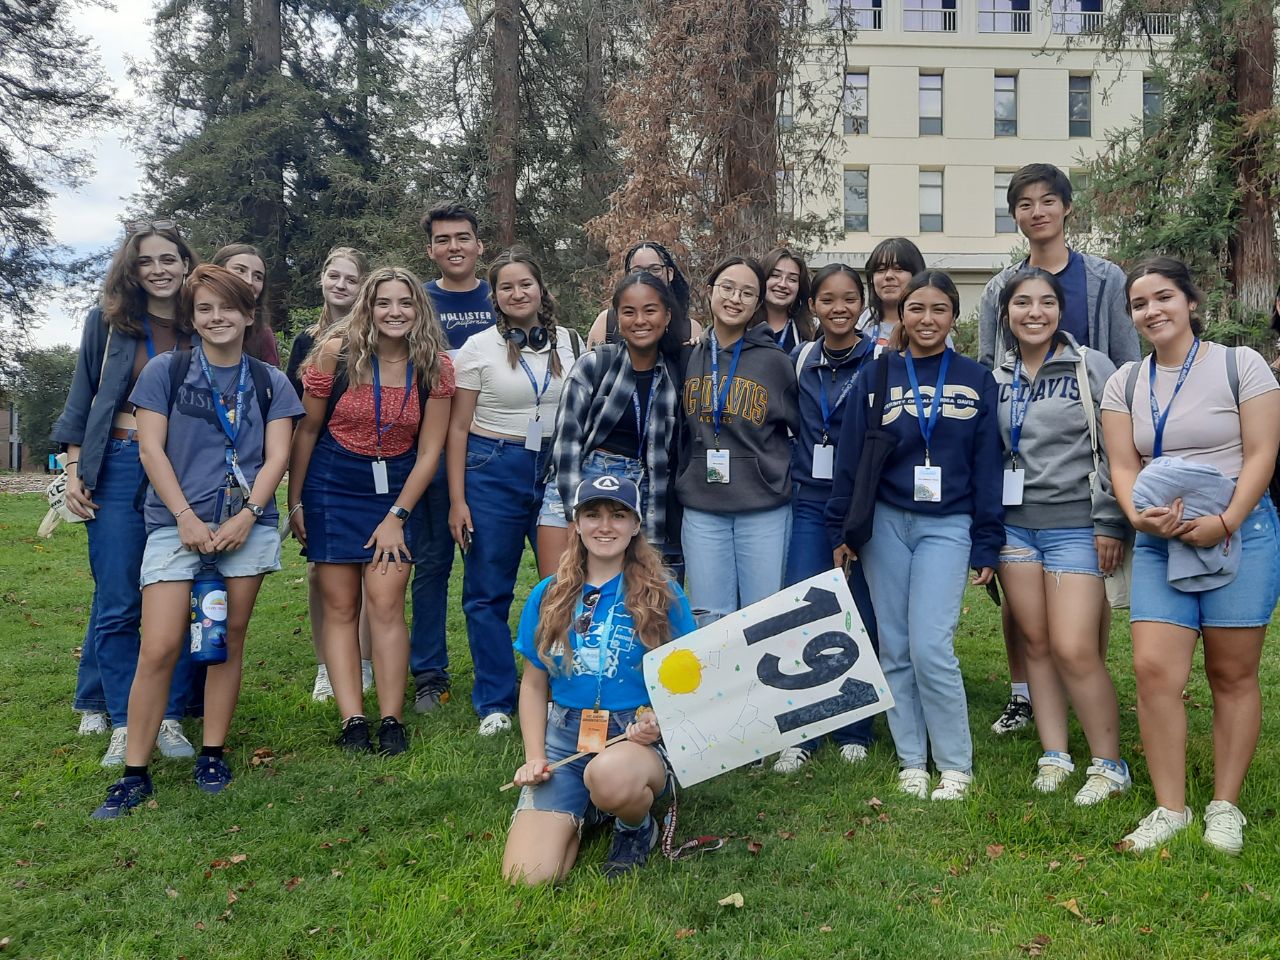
505	493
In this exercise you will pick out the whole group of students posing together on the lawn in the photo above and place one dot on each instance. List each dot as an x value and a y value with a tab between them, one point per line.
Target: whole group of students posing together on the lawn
664	451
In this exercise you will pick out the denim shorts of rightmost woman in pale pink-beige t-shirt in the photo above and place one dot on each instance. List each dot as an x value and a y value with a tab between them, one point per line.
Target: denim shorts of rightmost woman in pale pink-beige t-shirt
1249	601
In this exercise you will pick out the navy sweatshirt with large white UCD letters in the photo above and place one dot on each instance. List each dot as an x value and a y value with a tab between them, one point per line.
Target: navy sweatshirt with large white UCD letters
966	446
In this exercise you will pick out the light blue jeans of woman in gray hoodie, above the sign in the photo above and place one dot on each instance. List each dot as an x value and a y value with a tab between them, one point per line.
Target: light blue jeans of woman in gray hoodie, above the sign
734	560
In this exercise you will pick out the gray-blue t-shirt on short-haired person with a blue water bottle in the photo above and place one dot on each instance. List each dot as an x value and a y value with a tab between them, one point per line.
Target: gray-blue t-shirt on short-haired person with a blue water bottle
196	444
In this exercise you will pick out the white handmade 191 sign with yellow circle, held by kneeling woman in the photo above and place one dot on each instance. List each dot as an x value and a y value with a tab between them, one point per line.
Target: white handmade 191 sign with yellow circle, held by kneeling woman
776	674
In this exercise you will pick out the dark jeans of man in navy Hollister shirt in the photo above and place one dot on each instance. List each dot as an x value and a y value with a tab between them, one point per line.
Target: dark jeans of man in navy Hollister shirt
433	552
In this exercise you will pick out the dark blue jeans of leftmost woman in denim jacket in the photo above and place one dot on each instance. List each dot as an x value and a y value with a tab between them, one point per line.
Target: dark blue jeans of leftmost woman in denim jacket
117	540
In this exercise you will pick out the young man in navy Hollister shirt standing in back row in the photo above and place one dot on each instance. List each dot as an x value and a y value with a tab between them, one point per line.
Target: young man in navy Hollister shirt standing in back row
463	304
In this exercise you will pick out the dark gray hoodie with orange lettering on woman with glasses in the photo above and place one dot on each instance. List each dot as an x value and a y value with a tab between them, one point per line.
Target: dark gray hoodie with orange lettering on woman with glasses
760	410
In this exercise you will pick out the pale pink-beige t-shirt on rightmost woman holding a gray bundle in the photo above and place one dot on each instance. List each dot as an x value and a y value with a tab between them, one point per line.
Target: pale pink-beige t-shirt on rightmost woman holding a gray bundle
1205	424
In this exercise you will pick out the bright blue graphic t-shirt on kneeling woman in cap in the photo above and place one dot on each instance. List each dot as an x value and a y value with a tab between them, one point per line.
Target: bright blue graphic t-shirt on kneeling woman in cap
609	659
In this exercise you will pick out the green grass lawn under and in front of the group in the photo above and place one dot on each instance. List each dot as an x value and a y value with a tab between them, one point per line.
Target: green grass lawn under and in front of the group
314	854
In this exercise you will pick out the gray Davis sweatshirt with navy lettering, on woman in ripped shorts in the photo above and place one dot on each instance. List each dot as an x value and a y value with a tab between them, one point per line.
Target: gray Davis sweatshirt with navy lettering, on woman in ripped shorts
1055	449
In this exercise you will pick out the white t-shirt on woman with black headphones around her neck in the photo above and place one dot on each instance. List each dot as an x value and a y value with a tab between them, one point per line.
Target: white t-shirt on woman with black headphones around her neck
506	403
